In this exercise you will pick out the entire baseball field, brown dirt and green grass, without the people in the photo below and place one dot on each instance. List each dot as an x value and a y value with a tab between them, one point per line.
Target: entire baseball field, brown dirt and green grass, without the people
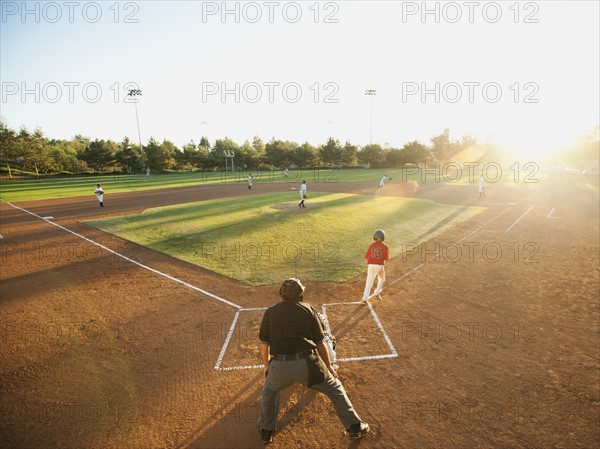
136	325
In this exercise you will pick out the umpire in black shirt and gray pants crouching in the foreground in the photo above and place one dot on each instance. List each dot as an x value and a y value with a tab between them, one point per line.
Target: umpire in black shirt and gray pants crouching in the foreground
292	333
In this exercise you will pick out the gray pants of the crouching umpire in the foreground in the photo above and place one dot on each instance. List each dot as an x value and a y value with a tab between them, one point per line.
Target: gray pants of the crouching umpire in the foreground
283	374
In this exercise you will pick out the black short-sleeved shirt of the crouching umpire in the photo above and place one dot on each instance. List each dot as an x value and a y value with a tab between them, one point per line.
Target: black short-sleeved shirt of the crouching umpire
290	327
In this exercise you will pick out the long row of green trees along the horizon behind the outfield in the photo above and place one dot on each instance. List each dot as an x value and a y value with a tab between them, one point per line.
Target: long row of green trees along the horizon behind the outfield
36	153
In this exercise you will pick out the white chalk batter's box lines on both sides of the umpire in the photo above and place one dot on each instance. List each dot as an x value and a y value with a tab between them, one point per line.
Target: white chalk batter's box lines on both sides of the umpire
387	339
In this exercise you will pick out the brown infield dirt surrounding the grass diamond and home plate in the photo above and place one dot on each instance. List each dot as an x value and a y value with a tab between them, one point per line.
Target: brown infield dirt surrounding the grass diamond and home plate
496	332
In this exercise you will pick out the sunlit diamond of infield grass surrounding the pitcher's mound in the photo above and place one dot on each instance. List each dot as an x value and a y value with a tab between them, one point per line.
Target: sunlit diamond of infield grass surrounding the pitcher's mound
265	238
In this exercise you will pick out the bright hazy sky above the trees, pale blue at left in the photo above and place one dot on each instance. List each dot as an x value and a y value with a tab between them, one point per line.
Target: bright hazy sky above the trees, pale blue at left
520	74
